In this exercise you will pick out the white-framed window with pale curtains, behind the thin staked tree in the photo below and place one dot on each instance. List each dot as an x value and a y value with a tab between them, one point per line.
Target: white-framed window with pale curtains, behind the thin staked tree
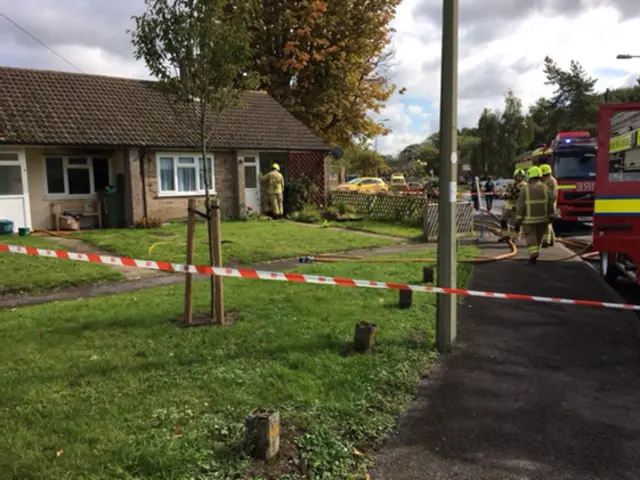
183	174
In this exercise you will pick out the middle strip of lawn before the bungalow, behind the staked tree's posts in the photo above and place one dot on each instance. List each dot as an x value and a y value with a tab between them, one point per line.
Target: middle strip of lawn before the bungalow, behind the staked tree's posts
249	242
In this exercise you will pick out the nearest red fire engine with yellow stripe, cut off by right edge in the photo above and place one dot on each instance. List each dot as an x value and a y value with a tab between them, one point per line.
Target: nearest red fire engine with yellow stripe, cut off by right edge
616	225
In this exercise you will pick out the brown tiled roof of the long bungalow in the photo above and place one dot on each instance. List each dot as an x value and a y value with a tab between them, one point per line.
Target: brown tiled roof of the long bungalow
42	107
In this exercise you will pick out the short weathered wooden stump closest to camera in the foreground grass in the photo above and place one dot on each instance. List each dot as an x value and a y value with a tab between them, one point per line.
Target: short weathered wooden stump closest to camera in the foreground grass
262	434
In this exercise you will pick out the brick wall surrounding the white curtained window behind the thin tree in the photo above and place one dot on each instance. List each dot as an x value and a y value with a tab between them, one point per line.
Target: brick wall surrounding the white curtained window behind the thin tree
166	208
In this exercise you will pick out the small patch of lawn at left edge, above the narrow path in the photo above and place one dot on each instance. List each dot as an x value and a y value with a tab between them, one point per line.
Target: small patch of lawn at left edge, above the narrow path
23	273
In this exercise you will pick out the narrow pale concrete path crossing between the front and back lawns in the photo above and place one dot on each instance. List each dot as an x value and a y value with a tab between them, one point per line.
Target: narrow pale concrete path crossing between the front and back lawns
172	279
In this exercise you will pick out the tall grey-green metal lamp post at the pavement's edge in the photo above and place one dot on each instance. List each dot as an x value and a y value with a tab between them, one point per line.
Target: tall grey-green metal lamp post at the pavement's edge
447	251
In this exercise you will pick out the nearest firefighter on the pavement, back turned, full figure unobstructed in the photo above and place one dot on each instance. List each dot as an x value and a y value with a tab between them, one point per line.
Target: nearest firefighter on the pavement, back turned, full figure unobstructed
534	211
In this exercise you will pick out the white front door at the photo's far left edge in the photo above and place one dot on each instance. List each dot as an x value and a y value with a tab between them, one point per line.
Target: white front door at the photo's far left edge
14	189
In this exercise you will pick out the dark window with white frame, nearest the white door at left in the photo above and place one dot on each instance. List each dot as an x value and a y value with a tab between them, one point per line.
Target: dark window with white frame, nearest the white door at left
76	175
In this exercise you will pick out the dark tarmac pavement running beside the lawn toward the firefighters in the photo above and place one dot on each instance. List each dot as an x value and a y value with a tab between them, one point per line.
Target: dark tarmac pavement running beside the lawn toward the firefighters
534	391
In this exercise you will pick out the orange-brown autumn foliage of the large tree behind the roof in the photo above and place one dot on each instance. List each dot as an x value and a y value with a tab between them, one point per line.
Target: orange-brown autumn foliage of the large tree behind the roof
326	62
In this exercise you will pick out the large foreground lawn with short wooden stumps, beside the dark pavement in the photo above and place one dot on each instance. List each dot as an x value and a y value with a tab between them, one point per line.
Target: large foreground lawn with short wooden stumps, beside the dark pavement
107	388
